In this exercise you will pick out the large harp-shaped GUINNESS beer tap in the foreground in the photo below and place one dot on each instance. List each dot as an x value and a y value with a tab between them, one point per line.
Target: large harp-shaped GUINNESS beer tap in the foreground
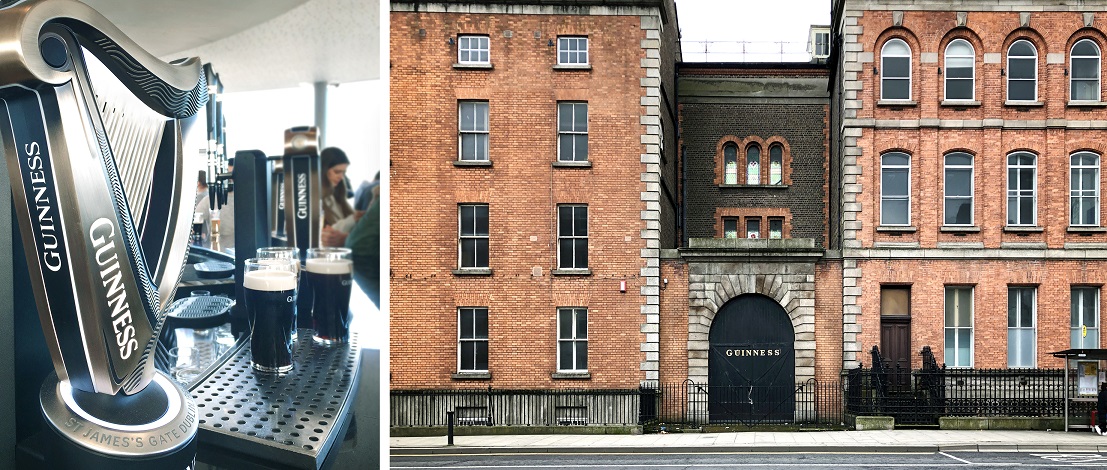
91	133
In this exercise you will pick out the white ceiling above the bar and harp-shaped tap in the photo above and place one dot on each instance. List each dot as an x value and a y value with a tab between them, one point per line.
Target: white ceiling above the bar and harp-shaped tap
260	45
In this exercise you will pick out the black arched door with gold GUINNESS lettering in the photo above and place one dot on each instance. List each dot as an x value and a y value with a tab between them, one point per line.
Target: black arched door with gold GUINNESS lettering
752	363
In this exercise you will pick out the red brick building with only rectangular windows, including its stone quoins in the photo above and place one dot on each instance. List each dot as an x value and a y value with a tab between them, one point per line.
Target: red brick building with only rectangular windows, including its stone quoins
533	192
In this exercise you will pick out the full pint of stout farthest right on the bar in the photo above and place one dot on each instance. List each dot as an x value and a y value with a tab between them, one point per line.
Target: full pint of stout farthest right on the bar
329	276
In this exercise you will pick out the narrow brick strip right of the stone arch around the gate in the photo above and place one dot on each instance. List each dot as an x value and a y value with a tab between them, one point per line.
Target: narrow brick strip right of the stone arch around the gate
829	320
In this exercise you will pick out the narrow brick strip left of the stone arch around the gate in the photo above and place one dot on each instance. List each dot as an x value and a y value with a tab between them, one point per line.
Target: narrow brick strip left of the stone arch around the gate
675	322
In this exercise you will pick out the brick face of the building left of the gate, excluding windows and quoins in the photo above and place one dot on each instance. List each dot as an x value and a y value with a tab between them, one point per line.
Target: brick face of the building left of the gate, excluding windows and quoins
523	191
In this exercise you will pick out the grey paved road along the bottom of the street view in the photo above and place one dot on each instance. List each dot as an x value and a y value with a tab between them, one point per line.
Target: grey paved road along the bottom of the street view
749	461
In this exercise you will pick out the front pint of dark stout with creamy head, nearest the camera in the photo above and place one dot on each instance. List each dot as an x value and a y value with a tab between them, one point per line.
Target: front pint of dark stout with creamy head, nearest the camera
271	299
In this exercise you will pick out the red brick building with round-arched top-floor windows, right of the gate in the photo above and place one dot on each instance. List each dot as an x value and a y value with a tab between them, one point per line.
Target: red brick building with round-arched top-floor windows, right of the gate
971	144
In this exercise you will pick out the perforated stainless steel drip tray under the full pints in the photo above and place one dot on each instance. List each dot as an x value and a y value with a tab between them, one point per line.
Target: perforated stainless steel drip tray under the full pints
291	421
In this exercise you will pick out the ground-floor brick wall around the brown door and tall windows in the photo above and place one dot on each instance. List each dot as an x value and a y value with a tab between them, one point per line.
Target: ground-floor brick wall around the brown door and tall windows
990	280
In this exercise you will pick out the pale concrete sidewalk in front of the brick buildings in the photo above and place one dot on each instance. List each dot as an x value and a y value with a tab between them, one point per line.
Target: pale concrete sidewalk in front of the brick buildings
907	441
